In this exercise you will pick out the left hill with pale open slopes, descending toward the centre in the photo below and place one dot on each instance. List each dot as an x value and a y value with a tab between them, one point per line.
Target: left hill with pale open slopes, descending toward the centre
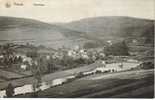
27	30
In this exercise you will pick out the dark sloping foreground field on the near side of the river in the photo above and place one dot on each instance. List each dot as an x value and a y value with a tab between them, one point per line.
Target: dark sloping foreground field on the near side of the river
123	84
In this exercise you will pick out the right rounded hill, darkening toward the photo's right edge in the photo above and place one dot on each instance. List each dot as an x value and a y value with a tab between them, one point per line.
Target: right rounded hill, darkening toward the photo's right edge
117	27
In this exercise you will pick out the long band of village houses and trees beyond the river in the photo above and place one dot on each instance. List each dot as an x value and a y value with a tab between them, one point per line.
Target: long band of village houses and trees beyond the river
23	57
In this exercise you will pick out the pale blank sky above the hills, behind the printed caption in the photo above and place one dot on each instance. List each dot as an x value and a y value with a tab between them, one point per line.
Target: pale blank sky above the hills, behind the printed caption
70	10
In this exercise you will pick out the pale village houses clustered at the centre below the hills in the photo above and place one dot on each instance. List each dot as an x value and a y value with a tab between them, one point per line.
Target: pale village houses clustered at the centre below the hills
79	53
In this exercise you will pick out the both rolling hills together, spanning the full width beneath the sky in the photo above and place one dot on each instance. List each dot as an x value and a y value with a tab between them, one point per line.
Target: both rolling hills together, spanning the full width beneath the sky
98	29
